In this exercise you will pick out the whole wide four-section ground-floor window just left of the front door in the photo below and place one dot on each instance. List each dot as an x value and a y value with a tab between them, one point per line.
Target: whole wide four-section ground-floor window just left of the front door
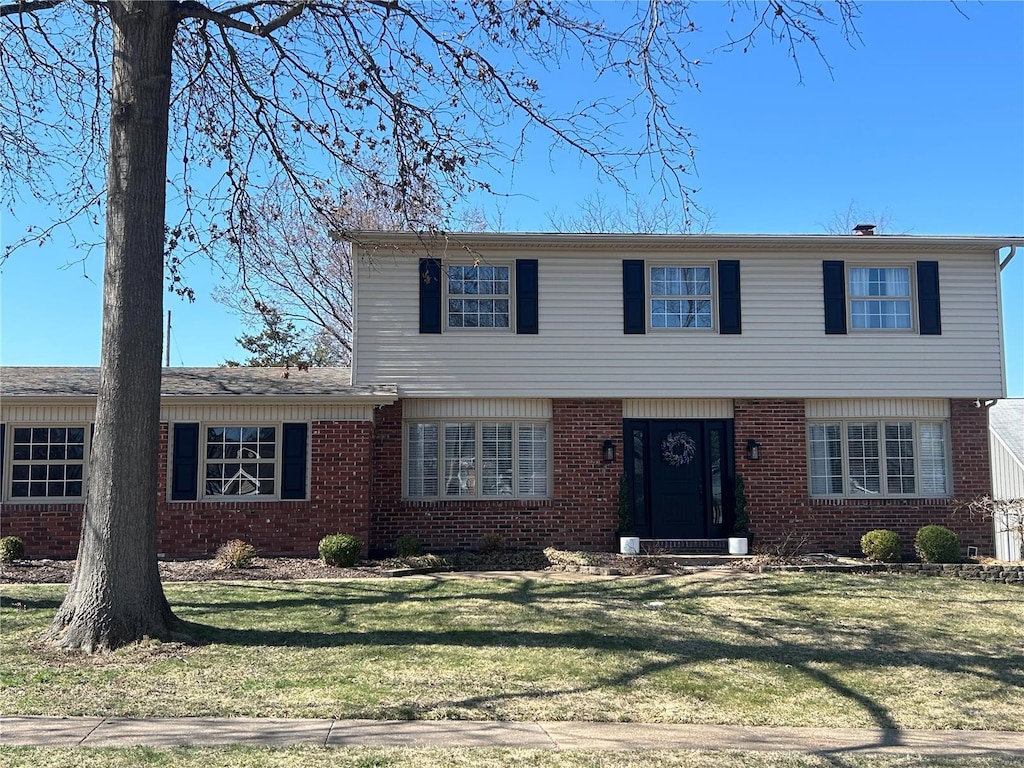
478	460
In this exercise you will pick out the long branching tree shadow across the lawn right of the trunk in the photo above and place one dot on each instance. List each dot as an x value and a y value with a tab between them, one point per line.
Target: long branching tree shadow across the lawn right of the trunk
813	646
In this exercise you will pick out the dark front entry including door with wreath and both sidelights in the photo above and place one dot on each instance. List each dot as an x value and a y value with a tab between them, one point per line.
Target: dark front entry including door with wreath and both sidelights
680	478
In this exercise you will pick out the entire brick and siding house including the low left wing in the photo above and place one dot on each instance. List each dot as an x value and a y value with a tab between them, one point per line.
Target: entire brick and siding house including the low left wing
552	389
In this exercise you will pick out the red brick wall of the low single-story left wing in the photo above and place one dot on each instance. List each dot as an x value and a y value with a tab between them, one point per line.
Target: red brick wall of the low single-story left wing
339	475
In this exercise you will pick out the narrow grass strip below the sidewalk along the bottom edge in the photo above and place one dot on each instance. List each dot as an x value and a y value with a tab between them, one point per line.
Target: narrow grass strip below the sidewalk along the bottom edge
460	758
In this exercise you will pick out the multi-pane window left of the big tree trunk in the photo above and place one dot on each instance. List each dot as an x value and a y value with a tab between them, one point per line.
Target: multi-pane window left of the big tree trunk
48	463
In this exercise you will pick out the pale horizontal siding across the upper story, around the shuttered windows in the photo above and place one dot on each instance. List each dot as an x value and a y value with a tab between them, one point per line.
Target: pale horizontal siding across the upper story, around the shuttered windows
582	352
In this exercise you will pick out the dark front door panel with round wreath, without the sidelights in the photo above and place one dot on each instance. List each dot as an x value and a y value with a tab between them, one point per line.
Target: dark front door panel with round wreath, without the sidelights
677	456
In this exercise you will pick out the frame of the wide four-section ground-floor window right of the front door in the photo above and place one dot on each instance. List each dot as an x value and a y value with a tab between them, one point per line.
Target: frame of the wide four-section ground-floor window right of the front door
884	493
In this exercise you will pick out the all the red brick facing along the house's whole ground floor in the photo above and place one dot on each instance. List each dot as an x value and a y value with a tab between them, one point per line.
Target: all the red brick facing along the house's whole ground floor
356	488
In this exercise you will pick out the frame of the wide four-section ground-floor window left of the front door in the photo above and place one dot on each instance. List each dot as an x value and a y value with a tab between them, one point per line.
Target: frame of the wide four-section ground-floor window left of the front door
473	484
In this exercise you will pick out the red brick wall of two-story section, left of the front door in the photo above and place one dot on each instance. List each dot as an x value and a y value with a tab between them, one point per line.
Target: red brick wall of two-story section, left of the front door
582	514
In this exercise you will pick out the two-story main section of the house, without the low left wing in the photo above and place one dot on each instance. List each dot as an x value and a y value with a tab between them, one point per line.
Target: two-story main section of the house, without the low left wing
844	378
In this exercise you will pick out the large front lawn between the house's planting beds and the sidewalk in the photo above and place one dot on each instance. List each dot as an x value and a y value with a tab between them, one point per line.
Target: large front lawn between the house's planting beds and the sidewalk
778	650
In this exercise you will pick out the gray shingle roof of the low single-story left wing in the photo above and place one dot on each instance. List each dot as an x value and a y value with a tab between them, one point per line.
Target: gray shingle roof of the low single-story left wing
330	383
